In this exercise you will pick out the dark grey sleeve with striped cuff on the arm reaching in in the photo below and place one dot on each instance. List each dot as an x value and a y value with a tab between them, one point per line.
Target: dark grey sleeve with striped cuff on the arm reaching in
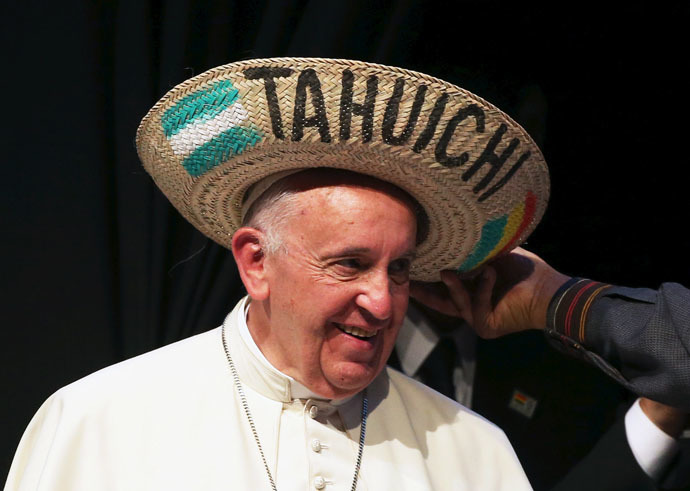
640	337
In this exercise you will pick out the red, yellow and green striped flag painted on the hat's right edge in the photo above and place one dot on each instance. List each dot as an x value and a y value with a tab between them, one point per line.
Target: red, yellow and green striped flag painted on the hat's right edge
501	234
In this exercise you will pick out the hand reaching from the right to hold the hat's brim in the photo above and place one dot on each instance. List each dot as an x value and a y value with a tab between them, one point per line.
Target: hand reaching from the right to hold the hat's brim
510	294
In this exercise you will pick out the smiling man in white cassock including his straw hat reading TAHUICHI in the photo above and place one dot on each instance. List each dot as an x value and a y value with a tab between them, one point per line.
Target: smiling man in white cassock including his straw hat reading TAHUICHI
327	225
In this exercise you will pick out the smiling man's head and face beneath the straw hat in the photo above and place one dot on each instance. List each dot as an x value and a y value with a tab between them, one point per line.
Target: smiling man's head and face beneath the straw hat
348	241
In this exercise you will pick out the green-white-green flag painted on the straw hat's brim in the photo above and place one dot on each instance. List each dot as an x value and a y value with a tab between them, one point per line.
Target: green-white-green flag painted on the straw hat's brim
209	126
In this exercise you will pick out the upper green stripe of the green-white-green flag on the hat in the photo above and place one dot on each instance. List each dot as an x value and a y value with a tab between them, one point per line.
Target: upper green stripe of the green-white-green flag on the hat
206	104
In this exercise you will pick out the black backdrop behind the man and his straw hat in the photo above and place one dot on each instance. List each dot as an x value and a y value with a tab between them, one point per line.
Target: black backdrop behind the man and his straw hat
97	267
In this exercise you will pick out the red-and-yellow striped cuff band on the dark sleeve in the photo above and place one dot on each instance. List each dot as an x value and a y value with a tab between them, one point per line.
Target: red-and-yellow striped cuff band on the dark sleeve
567	313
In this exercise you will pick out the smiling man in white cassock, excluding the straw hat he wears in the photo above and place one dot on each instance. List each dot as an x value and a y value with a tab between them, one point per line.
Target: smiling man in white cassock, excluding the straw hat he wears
325	259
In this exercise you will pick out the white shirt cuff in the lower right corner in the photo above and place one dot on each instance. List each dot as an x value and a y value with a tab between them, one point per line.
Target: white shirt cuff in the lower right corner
653	449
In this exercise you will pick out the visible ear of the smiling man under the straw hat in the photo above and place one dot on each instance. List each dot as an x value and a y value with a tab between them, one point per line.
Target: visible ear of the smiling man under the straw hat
250	259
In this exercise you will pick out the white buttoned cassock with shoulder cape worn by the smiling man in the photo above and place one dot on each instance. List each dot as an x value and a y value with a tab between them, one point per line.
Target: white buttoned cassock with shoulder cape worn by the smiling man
172	419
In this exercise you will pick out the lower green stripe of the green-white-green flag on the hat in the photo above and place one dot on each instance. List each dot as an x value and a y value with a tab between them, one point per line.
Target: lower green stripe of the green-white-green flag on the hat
216	151
